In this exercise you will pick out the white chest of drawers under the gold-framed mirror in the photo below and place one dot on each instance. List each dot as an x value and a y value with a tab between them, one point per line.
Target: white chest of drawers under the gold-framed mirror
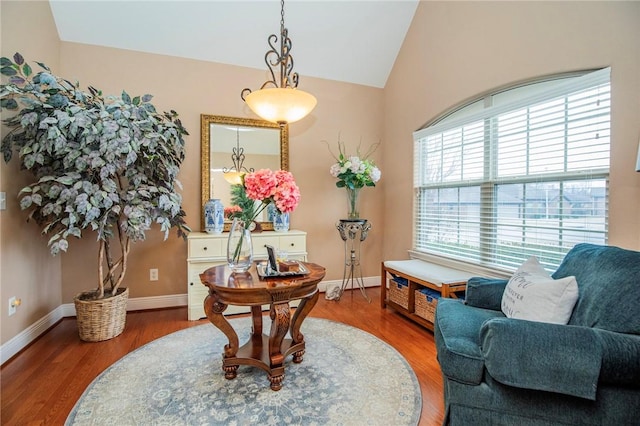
207	250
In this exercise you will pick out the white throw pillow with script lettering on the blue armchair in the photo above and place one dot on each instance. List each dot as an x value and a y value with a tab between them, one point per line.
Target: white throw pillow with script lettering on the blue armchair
531	294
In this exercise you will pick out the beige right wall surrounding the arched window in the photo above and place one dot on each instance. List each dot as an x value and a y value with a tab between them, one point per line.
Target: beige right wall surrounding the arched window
456	50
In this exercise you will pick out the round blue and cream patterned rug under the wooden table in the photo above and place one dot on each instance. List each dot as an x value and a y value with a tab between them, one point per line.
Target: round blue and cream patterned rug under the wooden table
347	377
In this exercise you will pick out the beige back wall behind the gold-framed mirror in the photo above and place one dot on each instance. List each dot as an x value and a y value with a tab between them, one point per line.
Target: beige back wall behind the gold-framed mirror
192	88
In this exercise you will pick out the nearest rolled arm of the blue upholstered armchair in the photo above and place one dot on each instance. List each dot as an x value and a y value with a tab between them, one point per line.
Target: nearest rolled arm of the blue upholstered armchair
542	356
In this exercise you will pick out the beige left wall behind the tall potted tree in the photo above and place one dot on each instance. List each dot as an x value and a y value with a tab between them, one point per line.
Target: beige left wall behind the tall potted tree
27	270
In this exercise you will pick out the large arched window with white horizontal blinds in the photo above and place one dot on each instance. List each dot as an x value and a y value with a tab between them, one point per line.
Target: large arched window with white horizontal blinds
525	175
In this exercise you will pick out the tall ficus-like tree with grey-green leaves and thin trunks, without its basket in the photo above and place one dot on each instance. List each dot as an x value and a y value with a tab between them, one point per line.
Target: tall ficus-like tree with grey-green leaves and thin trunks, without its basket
102	164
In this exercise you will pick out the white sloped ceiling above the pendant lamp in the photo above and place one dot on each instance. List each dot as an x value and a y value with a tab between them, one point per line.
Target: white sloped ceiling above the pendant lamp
354	41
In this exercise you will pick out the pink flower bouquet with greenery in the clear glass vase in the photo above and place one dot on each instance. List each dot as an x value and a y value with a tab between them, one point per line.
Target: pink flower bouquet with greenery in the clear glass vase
265	186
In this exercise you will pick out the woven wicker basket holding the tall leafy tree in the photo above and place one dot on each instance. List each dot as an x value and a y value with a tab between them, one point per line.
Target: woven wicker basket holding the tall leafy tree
102	319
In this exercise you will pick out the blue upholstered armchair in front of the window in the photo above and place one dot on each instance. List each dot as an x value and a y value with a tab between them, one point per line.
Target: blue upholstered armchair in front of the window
503	371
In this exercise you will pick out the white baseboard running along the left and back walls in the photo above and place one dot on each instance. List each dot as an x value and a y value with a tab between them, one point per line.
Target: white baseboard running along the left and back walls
24	338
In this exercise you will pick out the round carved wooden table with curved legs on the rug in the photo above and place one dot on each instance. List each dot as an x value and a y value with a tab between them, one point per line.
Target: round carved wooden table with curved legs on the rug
267	352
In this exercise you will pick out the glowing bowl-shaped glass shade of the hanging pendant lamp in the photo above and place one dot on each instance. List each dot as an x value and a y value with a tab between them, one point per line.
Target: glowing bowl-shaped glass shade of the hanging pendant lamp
281	105
